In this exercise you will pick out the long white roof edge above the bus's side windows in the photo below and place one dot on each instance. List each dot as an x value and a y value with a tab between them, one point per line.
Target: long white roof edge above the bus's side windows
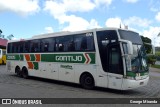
63	33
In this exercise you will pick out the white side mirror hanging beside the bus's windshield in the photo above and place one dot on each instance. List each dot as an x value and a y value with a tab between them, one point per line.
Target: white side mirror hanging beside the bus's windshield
127	46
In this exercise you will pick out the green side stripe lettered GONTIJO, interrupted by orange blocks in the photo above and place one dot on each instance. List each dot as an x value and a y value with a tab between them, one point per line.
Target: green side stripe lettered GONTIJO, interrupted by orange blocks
88	58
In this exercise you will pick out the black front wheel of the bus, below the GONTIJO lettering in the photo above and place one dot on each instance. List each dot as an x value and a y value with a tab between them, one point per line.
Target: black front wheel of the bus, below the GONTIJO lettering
87	81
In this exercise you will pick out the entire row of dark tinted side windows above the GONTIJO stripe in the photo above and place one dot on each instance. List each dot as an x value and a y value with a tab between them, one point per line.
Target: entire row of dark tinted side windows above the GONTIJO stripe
80	42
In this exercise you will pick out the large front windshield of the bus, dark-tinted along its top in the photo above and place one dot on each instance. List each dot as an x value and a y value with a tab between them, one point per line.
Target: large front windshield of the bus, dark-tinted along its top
138	59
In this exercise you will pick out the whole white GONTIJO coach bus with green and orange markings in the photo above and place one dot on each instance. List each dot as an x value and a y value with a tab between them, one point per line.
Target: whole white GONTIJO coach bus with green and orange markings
107	57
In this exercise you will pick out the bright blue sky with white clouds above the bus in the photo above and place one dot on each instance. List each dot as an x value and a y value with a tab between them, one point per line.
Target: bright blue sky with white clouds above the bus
26	18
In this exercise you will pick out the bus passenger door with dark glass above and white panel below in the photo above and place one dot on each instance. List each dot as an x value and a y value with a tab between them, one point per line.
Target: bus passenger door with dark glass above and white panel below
115	67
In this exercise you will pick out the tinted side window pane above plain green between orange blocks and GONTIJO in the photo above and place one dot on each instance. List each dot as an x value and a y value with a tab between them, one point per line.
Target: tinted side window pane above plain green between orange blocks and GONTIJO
48	45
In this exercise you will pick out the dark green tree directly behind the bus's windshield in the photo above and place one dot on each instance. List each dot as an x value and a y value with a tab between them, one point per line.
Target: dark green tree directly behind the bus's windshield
147	41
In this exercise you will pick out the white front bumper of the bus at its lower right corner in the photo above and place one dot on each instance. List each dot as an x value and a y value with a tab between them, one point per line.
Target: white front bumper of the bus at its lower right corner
131	84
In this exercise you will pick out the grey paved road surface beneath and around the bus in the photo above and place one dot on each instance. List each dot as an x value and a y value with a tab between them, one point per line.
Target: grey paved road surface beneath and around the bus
12	86
